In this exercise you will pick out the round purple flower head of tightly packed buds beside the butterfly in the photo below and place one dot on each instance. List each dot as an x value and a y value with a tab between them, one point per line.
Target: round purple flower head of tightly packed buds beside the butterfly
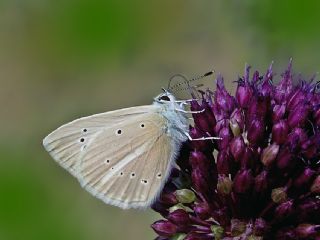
261	179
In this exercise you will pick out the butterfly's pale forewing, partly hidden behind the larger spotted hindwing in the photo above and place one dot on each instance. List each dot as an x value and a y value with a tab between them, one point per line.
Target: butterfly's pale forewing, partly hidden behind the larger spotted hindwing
67	143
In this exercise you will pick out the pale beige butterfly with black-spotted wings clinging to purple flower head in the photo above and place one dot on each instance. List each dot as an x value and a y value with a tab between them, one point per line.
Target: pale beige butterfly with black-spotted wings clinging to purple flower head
123	157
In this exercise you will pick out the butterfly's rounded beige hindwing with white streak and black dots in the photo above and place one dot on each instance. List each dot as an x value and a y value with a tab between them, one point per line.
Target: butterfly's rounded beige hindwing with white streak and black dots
127	164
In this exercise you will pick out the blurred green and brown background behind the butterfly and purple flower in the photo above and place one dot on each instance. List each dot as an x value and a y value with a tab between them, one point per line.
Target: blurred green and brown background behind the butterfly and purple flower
60	60
